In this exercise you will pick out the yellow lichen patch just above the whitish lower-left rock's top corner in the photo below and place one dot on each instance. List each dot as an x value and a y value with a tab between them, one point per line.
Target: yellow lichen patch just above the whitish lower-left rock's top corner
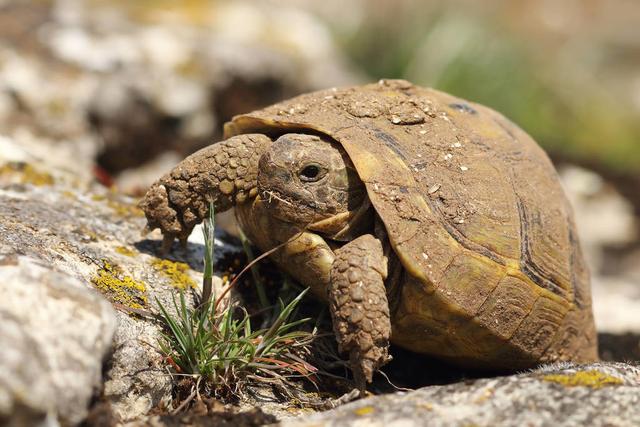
120	288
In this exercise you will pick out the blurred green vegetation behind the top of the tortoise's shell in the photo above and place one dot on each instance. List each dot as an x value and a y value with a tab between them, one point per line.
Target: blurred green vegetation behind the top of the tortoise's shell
560	102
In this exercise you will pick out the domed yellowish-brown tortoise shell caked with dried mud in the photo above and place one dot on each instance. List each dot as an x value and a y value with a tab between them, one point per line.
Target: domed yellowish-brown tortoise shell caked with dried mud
474	211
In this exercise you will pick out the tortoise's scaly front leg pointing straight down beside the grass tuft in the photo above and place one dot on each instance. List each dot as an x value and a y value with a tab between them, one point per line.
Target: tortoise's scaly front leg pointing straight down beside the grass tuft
359	306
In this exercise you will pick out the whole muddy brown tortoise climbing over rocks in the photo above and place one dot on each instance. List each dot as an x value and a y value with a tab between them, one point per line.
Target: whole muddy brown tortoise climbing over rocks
423	220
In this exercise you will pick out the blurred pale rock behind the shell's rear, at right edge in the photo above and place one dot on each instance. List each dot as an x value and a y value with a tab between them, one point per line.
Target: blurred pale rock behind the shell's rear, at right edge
608	231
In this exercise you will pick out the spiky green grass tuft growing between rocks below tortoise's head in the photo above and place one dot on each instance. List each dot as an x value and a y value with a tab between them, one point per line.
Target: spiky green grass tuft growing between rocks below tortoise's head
215	344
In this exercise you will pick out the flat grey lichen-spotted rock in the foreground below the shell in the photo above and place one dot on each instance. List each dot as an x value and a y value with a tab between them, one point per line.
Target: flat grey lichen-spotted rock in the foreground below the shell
556	395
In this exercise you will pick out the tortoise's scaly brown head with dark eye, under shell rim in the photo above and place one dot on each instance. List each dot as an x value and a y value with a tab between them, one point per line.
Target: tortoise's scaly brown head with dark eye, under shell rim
309	181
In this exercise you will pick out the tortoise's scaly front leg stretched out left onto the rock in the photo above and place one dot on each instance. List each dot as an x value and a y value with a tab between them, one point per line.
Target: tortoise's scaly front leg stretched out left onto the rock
224	173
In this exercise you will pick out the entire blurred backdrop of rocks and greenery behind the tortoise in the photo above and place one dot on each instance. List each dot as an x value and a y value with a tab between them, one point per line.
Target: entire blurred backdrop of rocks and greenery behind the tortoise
119	91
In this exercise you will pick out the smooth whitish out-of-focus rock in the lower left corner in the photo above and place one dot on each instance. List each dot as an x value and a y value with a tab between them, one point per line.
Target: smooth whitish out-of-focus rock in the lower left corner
54	334
